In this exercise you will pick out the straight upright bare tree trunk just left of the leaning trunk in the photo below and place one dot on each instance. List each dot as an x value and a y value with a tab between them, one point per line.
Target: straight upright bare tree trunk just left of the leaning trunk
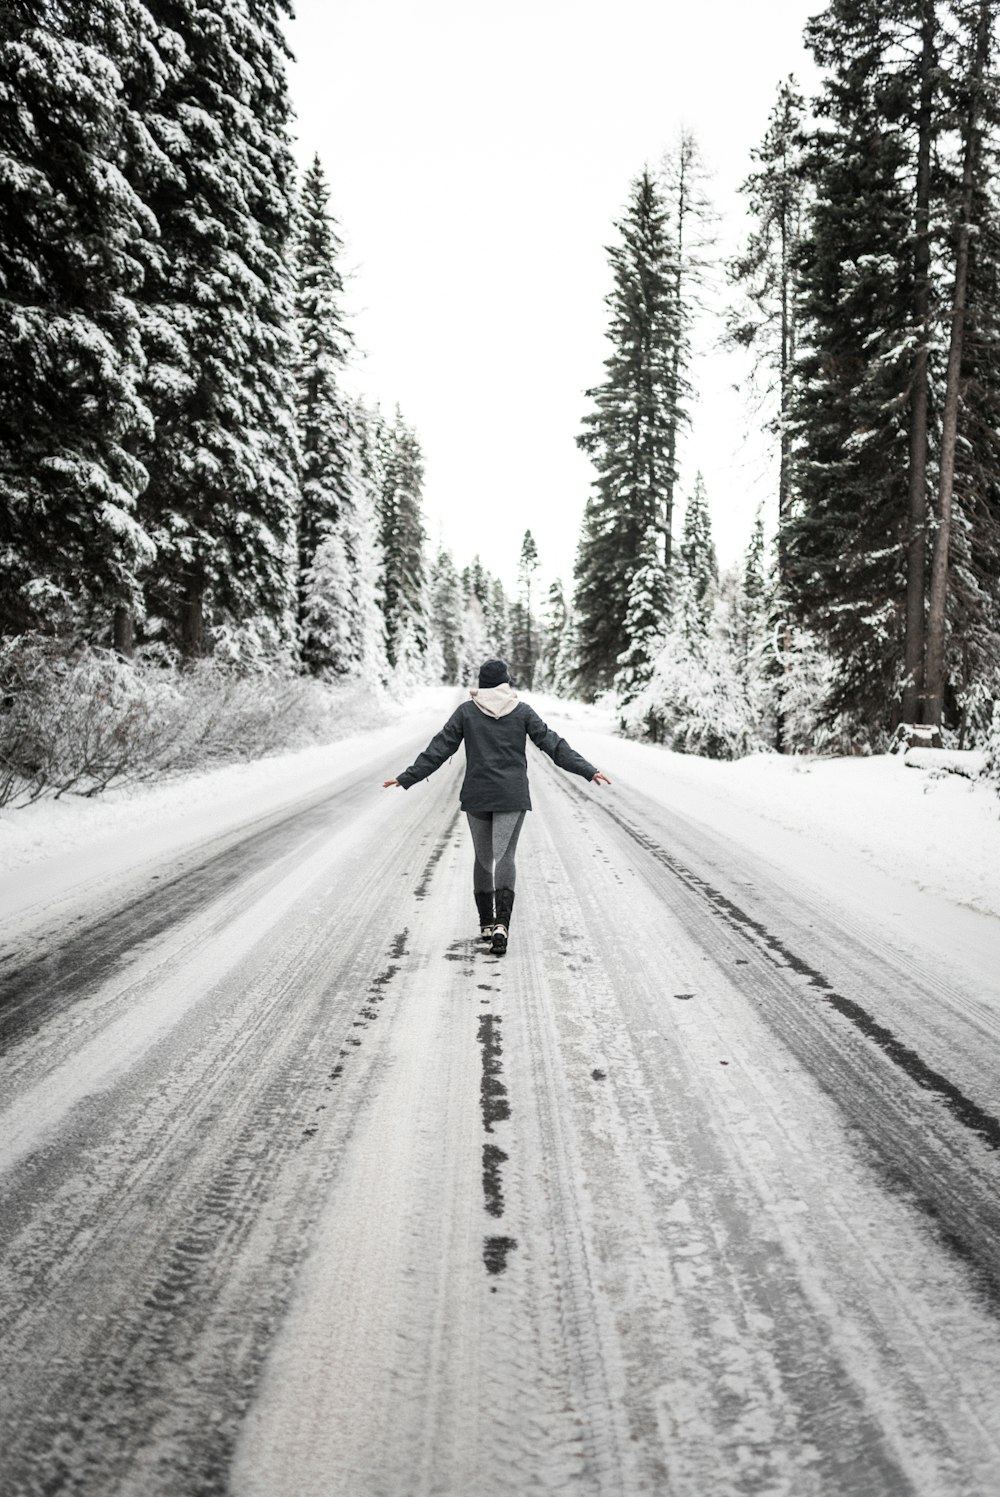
917	531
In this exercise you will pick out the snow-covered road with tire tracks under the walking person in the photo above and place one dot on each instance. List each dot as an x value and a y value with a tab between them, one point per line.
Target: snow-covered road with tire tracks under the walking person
694	1194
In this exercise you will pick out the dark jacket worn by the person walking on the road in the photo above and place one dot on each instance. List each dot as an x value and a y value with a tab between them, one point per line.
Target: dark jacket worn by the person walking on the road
496	763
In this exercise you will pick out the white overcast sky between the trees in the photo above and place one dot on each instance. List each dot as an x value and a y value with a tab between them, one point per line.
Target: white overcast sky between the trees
478	156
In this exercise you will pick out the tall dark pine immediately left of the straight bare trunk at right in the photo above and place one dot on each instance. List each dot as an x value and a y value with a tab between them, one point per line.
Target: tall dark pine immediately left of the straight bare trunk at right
847	537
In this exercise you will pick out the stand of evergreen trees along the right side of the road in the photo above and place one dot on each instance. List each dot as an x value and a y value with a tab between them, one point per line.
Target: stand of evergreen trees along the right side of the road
868	297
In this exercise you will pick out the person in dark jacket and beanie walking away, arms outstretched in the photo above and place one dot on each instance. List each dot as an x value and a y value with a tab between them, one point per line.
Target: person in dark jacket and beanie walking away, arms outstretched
495	727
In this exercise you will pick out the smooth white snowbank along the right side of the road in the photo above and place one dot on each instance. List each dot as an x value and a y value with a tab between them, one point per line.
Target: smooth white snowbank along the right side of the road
826	821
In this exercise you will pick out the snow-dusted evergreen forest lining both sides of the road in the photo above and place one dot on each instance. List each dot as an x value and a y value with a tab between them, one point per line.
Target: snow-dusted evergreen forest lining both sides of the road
185	480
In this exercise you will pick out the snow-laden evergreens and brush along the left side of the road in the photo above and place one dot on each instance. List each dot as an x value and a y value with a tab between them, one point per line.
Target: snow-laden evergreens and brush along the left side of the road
186	486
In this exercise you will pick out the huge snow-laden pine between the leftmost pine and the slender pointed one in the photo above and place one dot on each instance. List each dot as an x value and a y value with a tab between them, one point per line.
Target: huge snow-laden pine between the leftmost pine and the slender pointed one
218	324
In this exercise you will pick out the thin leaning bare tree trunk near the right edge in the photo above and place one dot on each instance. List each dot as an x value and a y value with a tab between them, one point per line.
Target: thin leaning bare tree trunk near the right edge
938	607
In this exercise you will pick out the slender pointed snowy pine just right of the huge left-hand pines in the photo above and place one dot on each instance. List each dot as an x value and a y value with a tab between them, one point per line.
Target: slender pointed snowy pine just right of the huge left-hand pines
329	453
